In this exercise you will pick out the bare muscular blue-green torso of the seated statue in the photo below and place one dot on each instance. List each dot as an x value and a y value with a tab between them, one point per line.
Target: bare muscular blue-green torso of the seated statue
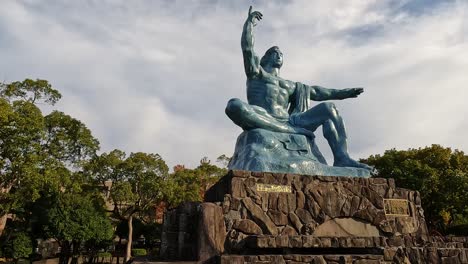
271	93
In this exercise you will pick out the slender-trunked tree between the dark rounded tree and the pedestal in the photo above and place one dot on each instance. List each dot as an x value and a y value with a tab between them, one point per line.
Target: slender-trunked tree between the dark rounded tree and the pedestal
138	184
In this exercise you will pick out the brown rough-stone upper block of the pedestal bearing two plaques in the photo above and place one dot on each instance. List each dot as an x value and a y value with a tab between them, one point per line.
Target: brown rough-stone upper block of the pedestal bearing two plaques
321	206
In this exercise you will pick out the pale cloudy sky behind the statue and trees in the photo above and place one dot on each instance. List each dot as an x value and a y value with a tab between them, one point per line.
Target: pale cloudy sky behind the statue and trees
155	76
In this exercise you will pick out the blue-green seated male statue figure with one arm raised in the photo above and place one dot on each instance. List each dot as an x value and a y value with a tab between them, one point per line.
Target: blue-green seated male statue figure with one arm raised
280	105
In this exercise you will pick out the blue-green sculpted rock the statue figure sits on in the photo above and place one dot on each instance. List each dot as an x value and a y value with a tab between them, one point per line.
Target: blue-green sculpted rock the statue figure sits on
262	150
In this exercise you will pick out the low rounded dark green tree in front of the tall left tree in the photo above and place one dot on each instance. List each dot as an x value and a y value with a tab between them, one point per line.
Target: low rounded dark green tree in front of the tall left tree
71	218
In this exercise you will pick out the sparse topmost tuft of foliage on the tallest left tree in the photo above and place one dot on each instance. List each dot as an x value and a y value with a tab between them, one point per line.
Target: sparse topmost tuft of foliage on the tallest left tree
30	90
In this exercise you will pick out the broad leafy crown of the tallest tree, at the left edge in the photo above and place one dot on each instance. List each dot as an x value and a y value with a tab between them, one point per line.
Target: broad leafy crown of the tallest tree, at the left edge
37	152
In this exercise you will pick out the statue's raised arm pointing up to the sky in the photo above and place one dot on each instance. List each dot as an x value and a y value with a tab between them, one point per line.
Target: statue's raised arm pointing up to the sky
251	62
